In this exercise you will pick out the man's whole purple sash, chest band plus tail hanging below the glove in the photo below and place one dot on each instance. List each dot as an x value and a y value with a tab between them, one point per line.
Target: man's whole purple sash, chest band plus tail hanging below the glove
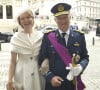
65	56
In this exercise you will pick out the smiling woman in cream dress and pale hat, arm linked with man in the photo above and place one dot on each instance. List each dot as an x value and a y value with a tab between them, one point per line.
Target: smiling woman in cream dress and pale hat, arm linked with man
25	46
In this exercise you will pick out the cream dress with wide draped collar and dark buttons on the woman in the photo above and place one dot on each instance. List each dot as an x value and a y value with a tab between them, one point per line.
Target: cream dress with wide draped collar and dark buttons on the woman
27	72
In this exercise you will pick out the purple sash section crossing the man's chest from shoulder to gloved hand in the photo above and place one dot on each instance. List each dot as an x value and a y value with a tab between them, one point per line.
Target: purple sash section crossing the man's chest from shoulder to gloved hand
61	50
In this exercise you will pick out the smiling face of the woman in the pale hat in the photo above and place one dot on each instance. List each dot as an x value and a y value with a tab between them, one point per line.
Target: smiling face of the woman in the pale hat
26	20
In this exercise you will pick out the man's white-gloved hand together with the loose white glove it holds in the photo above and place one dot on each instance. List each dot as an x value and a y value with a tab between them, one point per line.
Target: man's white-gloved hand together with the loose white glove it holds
74	71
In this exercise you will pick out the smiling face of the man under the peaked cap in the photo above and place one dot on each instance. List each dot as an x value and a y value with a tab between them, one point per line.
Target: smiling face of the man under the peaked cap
63	22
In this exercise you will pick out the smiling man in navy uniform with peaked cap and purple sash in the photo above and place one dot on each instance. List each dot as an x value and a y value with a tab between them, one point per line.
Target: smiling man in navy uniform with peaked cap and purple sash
67	59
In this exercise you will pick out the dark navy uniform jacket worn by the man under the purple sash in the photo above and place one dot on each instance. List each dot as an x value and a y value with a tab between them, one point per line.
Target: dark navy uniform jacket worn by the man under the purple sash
76	44
